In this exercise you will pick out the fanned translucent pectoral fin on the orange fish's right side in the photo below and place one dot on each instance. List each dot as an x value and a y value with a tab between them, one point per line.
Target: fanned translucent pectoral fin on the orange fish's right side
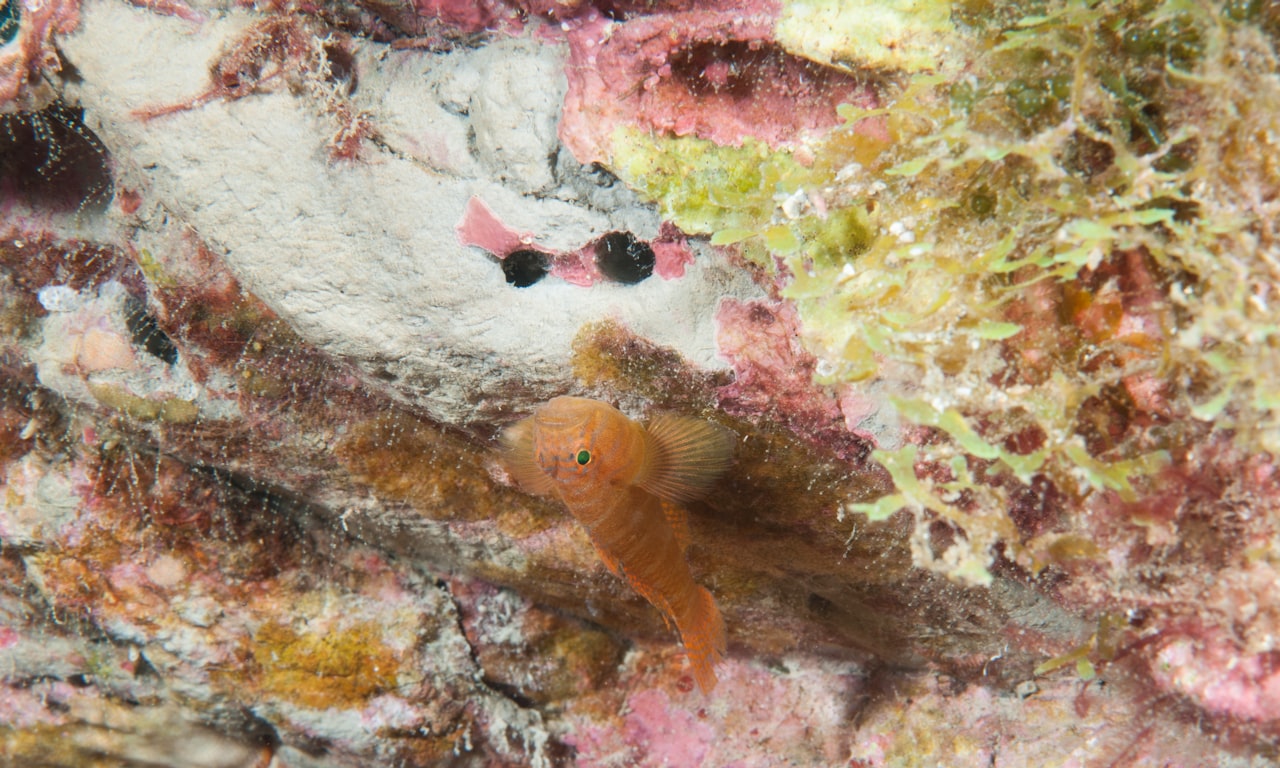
687	456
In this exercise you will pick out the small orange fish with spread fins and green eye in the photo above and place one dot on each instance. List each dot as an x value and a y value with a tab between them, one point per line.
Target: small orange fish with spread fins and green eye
624	482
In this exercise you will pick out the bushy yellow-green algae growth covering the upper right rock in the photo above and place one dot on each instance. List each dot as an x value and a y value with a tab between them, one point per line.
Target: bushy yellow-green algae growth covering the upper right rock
943	244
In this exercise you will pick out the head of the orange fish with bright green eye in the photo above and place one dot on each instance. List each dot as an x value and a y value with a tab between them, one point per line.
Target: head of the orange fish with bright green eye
579	441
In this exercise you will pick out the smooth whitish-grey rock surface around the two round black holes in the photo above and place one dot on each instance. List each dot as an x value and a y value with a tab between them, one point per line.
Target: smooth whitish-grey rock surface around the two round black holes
362	258
